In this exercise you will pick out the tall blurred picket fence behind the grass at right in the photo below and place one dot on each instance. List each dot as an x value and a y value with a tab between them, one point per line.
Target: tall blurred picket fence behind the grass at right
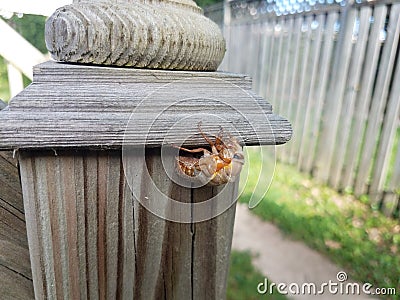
333	70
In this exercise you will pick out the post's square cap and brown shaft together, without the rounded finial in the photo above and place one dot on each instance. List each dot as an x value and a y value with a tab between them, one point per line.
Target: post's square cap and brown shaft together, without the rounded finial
88	238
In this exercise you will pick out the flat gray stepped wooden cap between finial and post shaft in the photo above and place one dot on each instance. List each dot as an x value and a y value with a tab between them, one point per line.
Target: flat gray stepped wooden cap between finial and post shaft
73	106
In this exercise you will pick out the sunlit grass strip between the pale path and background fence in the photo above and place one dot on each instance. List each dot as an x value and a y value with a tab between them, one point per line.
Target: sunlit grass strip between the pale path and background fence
350	233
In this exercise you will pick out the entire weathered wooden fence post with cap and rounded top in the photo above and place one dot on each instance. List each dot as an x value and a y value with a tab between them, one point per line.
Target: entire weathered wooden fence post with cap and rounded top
106	219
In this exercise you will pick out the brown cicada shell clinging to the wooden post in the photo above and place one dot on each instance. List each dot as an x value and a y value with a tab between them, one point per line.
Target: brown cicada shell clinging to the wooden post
219	166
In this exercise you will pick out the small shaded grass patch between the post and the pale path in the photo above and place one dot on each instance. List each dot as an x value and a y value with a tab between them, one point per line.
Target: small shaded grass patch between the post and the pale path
244	278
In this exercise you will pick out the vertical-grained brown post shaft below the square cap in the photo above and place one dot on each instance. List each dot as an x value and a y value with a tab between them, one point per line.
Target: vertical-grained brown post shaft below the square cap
94	239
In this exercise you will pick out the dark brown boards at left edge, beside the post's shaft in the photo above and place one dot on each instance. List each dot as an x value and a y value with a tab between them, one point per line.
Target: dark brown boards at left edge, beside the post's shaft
15	269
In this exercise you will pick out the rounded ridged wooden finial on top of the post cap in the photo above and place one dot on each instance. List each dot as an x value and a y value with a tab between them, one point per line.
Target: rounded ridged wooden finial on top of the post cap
135	34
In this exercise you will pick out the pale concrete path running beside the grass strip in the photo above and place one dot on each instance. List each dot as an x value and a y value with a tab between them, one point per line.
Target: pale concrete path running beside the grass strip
283	260
